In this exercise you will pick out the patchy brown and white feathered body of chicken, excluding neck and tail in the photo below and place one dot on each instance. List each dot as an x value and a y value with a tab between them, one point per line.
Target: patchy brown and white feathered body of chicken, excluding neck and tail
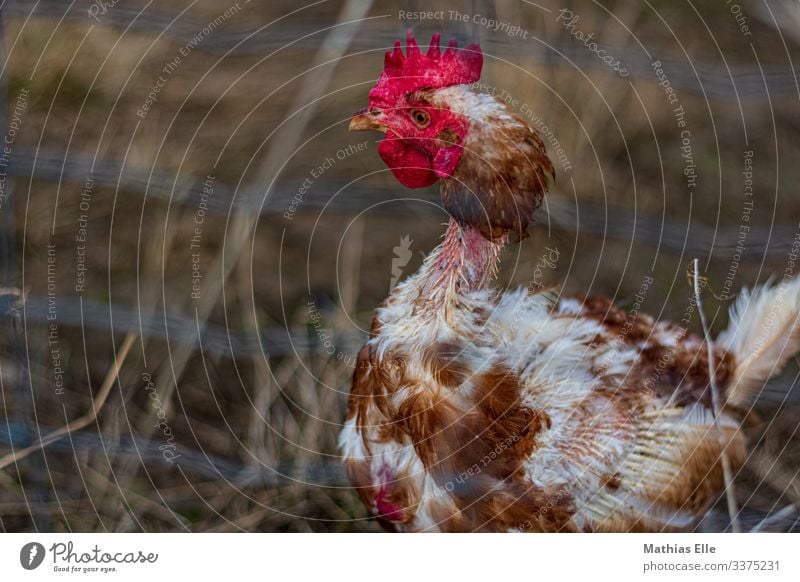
520	414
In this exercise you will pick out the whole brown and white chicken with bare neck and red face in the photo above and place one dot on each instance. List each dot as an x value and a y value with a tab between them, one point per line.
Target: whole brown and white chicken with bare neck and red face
472	410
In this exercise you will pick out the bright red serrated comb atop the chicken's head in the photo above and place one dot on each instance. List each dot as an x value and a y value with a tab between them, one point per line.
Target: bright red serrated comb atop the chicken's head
414	70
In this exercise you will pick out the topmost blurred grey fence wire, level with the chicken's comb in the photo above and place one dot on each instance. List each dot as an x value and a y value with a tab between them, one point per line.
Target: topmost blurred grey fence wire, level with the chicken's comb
708	78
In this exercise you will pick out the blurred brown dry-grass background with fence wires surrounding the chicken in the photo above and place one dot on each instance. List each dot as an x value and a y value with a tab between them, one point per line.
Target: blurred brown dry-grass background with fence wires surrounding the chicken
192	243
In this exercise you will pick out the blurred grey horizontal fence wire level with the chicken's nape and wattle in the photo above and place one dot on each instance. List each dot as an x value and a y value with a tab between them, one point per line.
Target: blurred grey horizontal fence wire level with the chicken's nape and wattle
568	213
